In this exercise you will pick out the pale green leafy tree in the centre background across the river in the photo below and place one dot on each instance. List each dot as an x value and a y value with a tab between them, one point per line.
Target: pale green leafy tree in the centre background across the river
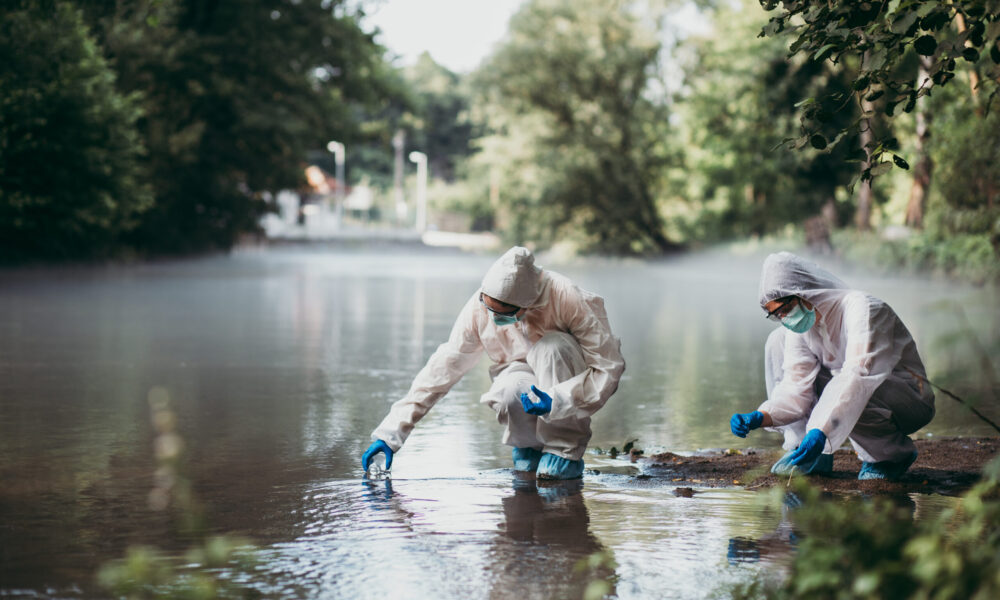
577	130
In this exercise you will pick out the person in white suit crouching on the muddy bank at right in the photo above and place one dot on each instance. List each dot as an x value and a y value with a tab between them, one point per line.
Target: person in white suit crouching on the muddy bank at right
843	366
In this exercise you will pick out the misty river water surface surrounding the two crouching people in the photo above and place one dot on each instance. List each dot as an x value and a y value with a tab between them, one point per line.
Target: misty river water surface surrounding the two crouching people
279	364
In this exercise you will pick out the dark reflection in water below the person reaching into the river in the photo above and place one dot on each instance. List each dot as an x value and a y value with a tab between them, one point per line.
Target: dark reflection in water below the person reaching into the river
546	533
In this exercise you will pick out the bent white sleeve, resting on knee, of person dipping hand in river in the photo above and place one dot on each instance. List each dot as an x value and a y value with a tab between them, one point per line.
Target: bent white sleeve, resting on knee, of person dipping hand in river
584	394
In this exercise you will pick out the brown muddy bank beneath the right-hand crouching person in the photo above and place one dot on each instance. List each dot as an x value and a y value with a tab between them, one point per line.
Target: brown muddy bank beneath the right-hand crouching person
944	466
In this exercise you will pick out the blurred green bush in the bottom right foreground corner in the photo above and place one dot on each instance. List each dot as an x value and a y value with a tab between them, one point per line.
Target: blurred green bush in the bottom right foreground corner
873	548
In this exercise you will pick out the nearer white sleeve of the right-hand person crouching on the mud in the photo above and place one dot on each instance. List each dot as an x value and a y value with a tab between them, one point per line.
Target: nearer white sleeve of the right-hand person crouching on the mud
871	355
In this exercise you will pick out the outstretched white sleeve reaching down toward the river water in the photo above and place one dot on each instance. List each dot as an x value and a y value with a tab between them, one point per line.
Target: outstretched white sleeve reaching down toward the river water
446	366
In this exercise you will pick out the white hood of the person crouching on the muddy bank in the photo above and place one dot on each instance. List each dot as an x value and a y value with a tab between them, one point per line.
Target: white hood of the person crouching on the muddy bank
785	274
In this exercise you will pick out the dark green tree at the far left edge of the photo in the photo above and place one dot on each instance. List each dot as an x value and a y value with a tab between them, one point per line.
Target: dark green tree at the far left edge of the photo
71	183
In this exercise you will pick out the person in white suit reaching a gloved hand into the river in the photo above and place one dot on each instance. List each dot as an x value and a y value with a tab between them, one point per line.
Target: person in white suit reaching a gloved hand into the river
555	363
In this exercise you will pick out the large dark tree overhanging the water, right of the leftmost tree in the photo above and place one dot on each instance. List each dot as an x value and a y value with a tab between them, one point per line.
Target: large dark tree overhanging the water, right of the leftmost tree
236	94
